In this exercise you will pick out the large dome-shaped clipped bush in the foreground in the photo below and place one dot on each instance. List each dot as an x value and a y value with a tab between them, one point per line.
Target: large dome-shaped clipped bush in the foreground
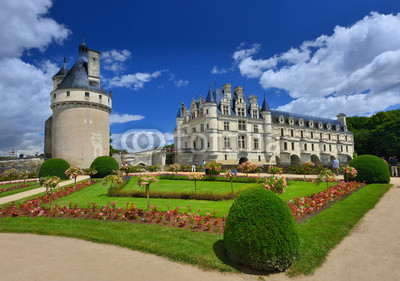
260	231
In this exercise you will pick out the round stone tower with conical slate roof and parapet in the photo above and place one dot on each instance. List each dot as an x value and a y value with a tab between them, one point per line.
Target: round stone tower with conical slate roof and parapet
79	129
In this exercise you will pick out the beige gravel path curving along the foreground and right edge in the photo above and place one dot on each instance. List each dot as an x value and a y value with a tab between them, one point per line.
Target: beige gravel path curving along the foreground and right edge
370	252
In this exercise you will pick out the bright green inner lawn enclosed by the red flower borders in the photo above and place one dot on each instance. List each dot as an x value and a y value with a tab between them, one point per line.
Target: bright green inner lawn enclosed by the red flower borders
98	193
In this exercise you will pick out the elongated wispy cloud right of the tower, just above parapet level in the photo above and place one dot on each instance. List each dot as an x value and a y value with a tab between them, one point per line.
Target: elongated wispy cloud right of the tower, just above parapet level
136	81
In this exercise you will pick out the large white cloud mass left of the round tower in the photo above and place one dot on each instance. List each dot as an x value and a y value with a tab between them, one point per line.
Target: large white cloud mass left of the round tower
25	88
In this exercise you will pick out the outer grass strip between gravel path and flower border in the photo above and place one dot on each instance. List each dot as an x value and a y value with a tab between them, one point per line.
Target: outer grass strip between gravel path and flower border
318	235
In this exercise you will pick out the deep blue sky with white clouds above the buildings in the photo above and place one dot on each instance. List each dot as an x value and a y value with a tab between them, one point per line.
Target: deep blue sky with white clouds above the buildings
313	57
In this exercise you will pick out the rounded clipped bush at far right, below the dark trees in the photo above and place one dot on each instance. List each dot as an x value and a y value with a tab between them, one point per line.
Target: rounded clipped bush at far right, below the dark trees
371	169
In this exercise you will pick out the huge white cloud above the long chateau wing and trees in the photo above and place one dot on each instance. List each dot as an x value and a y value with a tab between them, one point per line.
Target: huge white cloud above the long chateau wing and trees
355	70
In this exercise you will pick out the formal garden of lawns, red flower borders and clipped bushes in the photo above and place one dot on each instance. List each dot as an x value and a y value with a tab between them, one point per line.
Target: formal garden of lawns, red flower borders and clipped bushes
261	220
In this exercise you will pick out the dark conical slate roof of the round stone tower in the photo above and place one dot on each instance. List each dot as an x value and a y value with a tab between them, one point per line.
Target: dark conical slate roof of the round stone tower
77	76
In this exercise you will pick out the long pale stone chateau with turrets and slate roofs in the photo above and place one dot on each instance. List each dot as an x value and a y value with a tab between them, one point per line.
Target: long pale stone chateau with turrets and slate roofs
230	128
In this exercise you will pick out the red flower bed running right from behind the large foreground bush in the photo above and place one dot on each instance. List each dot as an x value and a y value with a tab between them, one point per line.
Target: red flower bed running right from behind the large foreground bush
306	205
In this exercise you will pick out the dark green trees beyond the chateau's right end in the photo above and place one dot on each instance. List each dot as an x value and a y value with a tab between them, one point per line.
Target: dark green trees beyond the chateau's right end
378	135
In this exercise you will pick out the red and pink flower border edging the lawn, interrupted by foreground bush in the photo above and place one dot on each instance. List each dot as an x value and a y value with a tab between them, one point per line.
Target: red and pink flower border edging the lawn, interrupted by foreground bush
301	207
